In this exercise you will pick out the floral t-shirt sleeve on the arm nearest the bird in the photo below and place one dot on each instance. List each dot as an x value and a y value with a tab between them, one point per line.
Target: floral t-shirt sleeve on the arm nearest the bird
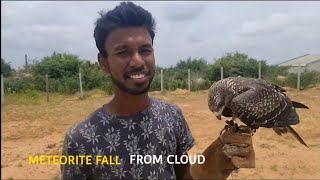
185	139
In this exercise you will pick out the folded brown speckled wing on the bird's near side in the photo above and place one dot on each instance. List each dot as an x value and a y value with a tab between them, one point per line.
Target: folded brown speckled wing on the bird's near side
258	106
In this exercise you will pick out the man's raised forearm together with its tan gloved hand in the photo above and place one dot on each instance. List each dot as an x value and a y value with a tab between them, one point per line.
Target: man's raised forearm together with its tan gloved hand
232	150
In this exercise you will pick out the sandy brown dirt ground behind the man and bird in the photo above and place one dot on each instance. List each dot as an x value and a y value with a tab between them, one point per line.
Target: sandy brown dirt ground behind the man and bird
39	130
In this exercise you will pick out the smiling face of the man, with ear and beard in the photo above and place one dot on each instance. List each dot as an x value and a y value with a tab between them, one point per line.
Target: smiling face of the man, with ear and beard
130	60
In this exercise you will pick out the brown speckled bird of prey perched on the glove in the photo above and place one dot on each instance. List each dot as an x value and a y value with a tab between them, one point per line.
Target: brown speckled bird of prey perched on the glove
257	103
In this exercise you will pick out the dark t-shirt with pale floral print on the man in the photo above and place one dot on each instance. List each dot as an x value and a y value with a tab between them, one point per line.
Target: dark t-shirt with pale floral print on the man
159	130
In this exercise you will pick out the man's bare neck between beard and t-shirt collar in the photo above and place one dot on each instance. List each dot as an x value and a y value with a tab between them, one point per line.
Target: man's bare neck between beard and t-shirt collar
124	104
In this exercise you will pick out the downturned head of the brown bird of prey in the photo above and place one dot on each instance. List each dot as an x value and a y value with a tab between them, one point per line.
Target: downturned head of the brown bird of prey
217	105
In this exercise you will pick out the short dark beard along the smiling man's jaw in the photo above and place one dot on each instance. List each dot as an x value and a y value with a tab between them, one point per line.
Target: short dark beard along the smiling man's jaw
139	89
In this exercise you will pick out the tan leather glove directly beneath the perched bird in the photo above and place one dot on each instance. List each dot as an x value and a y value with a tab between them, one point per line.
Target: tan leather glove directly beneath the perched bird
237	146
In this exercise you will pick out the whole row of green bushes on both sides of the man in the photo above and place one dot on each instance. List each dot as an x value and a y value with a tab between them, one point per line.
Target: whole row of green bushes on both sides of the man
63	71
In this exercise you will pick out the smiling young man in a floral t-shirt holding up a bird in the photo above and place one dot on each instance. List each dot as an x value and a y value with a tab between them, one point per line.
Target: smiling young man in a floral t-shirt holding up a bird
133	123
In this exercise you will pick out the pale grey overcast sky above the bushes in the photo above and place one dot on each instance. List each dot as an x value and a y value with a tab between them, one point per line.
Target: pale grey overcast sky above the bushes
272	31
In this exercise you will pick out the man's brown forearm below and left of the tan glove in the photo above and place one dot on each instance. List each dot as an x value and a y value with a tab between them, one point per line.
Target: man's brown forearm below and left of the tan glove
216	166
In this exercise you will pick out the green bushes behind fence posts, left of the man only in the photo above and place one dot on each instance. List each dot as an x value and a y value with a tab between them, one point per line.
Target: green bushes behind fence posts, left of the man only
63	72
